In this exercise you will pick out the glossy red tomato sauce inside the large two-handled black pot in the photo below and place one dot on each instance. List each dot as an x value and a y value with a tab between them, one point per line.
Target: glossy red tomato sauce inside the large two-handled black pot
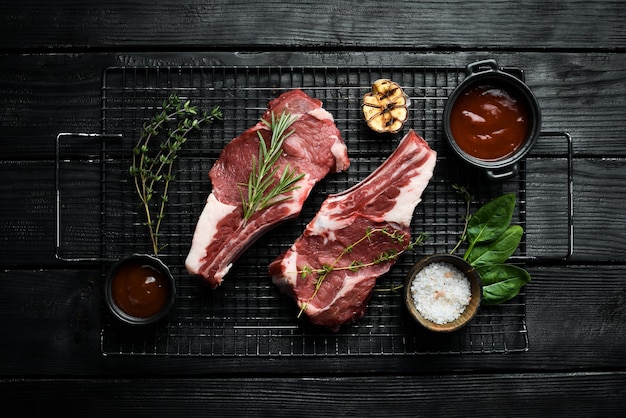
488	122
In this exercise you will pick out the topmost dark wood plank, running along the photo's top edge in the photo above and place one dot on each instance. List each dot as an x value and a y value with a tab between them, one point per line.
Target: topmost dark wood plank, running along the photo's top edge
193	24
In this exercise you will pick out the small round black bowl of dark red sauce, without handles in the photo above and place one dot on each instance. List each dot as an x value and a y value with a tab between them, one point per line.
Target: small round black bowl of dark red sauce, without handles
139	290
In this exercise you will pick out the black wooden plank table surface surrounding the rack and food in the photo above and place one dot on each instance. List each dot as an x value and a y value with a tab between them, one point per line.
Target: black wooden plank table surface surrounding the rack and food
64	64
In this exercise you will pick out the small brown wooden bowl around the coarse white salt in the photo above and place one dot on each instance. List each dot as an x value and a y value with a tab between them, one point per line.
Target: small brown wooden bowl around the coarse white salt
475	289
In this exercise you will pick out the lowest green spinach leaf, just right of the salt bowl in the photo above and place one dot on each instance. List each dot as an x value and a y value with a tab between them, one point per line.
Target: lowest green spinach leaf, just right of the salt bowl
502	282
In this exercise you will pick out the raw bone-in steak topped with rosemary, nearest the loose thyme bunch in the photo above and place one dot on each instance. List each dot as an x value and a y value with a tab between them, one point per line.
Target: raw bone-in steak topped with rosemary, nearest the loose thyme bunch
314	149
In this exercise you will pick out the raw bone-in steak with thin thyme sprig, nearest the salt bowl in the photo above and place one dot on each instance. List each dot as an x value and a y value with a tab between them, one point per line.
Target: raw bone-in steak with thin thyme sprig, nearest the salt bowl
385	200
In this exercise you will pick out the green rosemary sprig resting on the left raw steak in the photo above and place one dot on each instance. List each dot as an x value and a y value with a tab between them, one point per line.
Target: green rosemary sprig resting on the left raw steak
262	190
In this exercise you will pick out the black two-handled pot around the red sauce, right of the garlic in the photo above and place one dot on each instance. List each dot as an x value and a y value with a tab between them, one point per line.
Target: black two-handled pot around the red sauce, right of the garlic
487	73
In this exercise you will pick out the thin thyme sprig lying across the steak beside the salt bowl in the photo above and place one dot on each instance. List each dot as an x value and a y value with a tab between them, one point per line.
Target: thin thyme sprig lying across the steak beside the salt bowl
355	265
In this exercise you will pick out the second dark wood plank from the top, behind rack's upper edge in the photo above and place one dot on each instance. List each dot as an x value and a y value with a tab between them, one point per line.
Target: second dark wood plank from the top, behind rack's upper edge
42	95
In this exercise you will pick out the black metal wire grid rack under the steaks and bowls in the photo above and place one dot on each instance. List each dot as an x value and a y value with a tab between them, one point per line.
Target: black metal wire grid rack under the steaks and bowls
247	316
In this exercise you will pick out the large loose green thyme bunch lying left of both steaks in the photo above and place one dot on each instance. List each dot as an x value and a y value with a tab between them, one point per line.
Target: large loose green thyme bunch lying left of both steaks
152	164
